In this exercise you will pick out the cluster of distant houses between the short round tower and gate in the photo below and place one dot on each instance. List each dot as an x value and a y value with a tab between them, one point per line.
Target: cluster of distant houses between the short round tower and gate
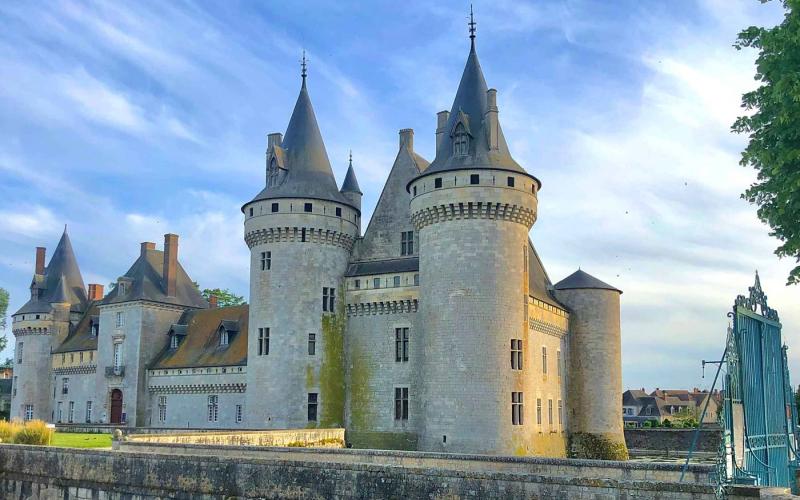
639	407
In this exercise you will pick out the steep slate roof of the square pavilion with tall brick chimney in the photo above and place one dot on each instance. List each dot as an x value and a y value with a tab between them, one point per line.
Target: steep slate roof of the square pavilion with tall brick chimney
147	283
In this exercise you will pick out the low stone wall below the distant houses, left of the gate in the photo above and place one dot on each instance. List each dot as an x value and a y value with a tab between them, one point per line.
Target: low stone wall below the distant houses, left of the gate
672	440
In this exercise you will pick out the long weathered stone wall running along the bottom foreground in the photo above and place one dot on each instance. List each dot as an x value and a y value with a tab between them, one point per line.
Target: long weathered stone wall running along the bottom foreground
28	472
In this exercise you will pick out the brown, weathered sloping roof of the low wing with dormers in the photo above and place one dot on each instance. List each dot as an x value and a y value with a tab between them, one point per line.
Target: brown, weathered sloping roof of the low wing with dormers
200	346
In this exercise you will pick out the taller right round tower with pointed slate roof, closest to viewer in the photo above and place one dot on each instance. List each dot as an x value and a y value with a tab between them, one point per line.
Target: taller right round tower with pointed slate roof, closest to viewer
473	208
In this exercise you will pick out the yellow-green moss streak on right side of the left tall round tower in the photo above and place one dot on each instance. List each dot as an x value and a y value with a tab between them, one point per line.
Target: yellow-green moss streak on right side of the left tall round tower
331	372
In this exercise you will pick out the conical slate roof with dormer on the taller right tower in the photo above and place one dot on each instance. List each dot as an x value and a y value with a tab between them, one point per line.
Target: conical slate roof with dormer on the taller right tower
470	107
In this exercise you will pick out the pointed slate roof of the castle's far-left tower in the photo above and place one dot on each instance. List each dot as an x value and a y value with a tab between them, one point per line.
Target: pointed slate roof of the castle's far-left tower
62	282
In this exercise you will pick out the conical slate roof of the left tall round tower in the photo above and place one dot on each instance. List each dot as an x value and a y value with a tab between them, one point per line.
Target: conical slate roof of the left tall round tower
308	170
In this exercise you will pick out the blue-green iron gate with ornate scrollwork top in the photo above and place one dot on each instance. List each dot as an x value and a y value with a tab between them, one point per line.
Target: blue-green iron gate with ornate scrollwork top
759	414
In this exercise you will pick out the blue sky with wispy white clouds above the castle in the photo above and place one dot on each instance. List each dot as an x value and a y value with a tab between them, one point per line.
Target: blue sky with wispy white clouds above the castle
129	120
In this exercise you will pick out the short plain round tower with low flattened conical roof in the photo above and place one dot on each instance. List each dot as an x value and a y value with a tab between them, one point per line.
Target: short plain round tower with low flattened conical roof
595	367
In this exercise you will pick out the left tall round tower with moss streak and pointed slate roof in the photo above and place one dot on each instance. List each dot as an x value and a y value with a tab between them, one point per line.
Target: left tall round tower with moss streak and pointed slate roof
300	230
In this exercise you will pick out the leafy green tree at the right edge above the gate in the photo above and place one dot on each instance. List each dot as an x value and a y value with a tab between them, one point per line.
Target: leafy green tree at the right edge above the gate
773	128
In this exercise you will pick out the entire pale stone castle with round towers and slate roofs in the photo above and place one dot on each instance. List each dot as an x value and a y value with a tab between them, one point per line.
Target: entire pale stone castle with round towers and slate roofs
437	329
